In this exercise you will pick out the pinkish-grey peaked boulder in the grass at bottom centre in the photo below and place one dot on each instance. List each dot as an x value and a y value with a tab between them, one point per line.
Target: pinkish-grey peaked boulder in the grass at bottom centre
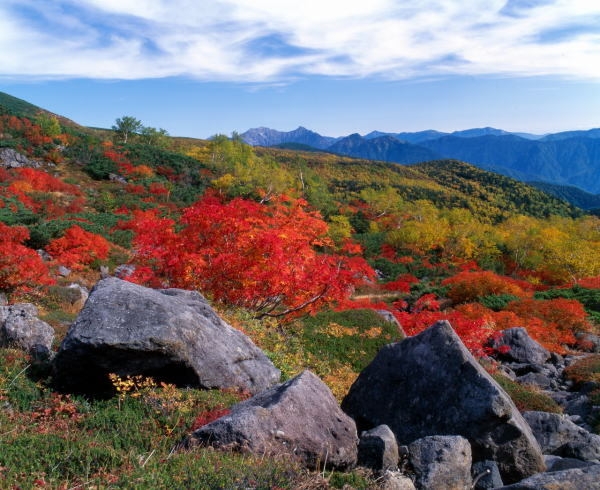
299	417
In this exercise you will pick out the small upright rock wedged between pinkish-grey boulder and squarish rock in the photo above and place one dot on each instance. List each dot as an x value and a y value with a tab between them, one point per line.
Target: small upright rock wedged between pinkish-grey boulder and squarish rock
378	449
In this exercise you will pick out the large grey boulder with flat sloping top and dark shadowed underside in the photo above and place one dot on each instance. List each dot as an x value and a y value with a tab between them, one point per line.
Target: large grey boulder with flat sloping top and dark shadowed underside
168	334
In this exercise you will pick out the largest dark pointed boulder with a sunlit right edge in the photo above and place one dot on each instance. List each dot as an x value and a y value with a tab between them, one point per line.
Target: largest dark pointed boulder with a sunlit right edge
430	384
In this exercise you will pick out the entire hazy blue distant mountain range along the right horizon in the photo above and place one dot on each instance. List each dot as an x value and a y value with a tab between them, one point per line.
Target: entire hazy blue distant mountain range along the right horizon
570	158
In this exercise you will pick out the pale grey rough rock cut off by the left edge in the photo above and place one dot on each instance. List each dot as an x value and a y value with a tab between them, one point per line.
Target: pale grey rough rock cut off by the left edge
20	327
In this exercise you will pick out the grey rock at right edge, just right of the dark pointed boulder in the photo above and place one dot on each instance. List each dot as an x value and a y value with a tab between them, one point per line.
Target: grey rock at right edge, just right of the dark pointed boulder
557	435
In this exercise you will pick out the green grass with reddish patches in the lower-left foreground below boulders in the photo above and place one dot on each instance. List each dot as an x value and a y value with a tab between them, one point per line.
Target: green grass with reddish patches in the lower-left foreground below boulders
61	441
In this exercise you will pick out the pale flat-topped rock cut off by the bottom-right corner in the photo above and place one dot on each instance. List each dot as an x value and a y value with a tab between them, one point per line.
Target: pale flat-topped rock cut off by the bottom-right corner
575	479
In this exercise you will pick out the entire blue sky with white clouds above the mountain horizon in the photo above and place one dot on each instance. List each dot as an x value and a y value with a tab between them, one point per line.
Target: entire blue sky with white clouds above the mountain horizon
196	68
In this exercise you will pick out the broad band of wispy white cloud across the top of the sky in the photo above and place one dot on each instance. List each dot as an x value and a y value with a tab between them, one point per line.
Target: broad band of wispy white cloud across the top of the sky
277	40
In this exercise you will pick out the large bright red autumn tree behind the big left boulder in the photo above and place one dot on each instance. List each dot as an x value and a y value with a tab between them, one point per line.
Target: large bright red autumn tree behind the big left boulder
266	257
